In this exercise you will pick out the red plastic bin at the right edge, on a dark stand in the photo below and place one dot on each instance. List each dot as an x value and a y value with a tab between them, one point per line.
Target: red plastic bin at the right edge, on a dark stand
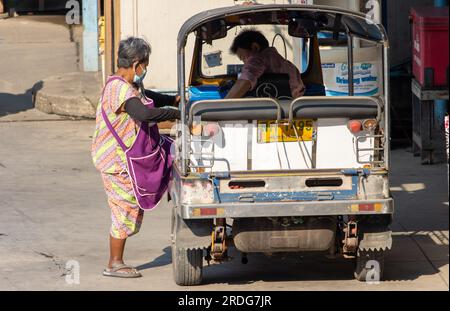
430	45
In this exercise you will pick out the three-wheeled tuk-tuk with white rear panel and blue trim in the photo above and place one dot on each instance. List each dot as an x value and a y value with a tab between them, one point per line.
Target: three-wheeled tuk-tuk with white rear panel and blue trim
272	174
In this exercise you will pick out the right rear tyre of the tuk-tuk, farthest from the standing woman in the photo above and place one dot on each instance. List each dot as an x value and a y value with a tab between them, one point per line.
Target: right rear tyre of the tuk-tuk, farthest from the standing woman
369	266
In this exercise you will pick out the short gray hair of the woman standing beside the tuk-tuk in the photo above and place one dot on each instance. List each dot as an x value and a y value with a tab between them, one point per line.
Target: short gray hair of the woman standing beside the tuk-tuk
133	50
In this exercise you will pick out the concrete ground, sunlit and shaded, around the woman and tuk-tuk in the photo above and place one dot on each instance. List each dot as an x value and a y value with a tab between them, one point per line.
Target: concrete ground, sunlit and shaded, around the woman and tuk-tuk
53	208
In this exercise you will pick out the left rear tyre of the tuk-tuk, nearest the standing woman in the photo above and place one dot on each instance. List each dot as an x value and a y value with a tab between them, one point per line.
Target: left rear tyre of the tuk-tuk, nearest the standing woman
187	264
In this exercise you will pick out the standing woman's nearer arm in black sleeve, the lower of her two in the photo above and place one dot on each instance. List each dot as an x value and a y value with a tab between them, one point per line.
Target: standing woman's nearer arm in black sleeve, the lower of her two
139	112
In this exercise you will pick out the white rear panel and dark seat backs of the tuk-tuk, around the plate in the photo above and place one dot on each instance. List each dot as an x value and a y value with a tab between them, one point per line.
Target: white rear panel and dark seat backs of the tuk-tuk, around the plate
239	147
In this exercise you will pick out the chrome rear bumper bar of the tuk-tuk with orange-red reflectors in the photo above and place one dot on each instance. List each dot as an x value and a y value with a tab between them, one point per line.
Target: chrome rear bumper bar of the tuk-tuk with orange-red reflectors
283	209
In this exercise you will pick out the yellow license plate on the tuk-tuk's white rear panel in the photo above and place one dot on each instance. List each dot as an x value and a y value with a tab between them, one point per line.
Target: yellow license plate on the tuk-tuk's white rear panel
300	130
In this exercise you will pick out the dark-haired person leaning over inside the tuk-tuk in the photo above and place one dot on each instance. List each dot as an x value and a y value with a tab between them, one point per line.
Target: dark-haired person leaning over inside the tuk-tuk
253	49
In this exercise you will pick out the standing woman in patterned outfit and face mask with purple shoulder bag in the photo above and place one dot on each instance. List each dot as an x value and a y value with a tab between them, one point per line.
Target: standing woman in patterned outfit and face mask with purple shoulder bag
126	118
